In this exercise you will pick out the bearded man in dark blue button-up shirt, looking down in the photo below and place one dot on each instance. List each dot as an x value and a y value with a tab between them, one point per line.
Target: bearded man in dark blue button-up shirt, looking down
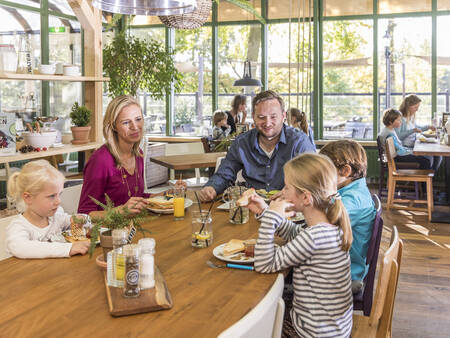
261	152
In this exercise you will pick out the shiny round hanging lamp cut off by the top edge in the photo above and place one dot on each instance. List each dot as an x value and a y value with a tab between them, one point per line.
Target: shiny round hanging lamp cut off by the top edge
146	7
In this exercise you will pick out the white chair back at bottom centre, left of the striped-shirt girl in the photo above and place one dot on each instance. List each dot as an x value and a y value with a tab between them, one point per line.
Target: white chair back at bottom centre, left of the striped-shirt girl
265	320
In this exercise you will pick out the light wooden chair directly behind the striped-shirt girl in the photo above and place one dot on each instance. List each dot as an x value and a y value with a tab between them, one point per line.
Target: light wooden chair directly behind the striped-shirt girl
379	324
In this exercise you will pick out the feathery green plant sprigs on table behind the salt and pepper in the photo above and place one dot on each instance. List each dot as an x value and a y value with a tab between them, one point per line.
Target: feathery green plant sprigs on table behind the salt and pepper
115	219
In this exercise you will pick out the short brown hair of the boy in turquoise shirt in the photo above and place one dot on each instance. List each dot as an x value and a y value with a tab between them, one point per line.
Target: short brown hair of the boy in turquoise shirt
347	152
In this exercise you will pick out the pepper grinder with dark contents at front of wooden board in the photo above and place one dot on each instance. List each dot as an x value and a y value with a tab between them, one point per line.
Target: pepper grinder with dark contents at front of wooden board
131	287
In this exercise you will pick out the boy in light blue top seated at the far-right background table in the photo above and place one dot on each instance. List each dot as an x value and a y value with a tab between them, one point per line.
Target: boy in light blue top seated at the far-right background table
392	119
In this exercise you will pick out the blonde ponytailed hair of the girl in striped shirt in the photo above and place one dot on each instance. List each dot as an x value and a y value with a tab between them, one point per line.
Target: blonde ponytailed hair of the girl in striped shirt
317	174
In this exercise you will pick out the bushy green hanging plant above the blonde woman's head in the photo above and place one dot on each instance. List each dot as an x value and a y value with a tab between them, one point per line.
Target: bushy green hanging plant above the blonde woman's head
134	64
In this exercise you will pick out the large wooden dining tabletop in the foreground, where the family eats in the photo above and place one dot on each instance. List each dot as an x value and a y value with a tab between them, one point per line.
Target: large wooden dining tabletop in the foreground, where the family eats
66	296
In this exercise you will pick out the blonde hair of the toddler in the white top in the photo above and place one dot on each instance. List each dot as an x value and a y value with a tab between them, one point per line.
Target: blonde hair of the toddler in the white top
31	178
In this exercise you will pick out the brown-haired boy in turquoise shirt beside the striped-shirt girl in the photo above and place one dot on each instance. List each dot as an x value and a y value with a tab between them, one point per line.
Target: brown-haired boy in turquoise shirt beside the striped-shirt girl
350	160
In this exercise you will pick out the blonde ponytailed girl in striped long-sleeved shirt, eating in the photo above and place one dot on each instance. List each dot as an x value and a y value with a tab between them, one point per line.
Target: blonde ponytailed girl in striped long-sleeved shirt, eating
322	304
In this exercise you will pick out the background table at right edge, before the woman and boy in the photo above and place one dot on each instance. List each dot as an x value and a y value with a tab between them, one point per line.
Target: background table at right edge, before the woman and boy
437	149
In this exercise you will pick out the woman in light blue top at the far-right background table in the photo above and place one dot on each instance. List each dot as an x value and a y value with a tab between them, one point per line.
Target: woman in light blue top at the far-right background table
408	129
